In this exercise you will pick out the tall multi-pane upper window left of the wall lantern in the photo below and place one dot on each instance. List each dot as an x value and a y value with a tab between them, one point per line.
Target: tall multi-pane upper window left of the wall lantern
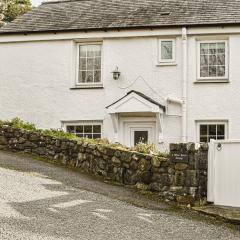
89	64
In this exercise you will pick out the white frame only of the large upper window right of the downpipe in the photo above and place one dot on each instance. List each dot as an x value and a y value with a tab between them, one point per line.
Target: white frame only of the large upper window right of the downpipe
199	78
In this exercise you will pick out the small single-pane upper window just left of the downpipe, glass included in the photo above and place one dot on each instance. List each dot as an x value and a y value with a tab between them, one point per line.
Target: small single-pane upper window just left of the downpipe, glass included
166	51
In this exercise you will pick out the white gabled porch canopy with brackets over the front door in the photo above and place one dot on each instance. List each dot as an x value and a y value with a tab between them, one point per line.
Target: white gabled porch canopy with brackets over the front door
136	102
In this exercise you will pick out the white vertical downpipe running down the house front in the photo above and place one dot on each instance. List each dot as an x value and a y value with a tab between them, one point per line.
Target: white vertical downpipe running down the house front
184	85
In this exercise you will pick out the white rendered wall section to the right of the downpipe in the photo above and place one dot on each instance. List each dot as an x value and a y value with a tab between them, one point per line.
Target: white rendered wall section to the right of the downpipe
215	101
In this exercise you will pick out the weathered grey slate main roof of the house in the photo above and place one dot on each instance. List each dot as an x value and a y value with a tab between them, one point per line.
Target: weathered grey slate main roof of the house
82	15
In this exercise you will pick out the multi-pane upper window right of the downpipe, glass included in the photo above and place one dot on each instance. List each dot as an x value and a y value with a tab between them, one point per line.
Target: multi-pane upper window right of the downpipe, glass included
213	60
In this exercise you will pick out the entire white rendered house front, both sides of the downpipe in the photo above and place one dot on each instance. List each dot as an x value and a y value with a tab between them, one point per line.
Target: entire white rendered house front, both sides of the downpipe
36	77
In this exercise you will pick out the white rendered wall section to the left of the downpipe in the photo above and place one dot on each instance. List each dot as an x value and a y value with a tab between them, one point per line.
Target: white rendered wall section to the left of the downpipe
36	78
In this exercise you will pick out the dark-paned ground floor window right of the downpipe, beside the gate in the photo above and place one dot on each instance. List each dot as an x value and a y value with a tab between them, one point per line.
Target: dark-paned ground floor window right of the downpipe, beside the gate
212	130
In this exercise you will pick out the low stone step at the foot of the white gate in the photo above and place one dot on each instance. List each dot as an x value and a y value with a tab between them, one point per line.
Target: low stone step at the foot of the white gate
230	214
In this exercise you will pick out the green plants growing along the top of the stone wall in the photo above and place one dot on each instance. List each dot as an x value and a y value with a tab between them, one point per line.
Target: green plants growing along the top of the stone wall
58	133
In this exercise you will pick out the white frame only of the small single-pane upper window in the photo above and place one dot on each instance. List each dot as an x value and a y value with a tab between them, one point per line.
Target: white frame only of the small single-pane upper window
167	61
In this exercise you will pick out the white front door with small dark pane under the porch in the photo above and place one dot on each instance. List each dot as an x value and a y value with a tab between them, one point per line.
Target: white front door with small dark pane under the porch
135	132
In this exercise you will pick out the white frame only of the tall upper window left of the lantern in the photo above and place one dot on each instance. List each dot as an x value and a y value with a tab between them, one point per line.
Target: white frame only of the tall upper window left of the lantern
93	84
